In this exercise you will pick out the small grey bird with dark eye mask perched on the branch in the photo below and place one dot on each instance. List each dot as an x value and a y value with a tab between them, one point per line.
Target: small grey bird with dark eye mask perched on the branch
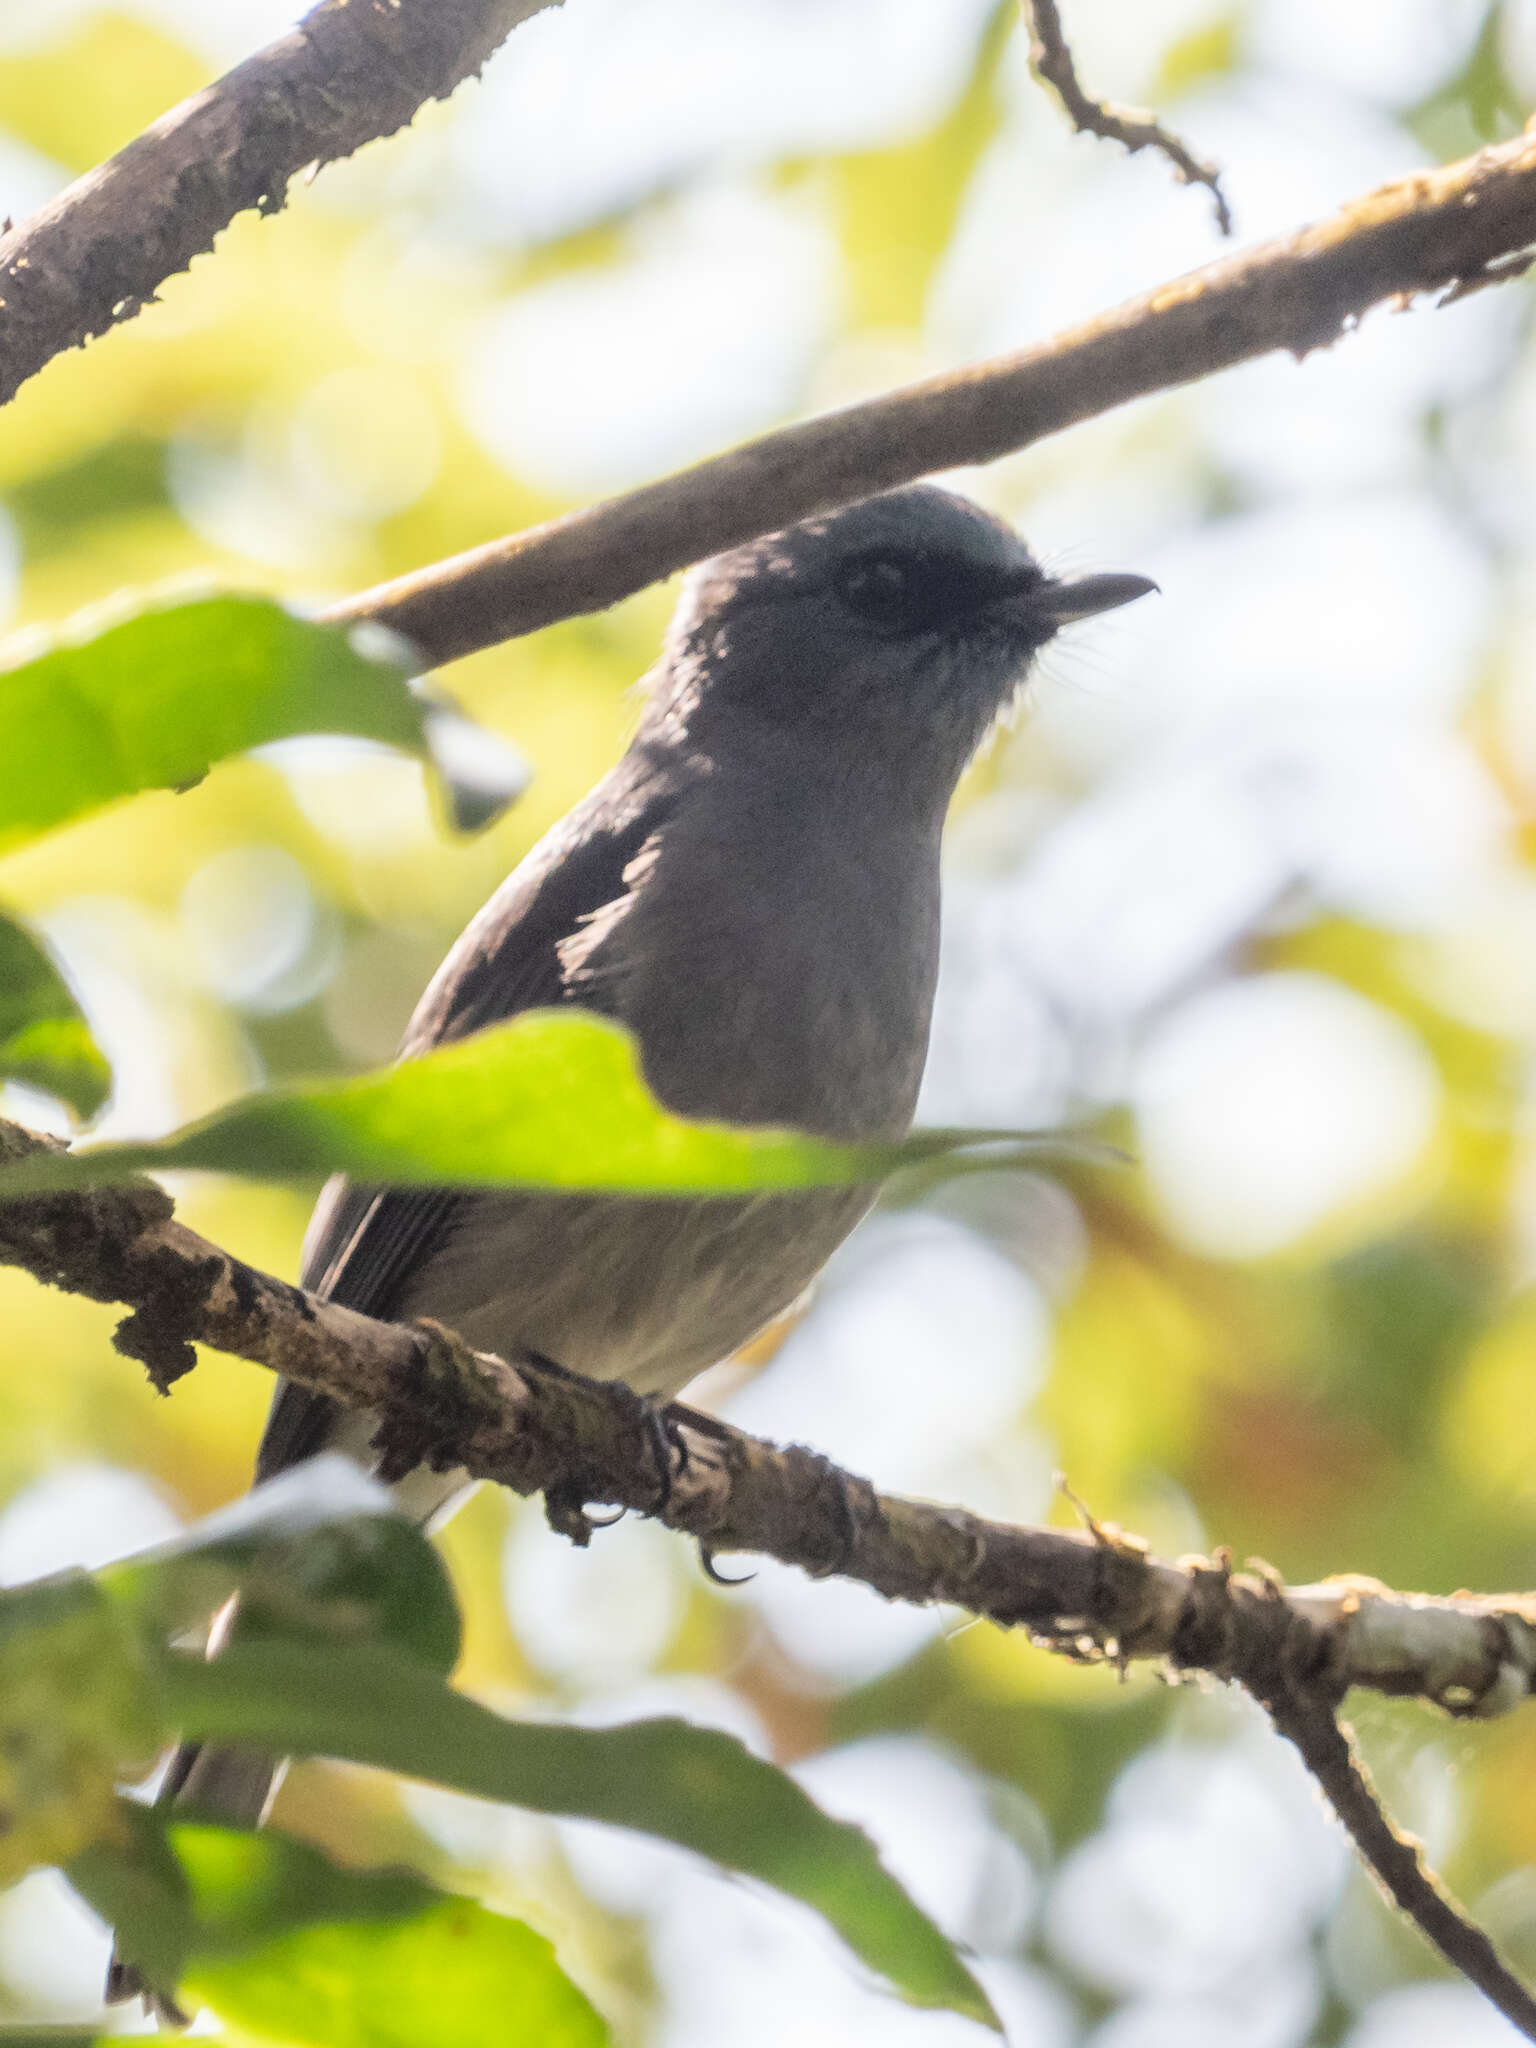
755	894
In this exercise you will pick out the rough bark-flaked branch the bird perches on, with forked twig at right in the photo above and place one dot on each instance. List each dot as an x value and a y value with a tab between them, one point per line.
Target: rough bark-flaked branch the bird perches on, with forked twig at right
1091	1594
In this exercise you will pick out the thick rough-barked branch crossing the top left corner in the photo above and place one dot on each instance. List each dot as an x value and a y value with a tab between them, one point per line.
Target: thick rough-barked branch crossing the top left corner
351	71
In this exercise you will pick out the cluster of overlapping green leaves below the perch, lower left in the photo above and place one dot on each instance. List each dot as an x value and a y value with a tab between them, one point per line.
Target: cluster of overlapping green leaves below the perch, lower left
343	1639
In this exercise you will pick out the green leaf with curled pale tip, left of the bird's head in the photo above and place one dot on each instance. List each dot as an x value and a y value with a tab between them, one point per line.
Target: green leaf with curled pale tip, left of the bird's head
159	697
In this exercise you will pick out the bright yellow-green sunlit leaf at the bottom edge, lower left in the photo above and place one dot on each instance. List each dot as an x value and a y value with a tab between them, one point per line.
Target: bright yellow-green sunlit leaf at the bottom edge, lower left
290	1949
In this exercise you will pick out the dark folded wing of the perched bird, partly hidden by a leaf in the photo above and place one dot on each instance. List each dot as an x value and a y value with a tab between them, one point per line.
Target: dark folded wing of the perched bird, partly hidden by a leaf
366	1244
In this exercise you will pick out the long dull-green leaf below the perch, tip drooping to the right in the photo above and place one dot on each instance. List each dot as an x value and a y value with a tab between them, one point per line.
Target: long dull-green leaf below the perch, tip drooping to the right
693	1787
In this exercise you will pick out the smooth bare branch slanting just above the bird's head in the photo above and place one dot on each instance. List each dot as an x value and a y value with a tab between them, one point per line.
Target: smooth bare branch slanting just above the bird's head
1437	230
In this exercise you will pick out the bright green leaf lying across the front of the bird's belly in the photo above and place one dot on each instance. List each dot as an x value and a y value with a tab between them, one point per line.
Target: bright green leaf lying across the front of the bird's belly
556	1099
